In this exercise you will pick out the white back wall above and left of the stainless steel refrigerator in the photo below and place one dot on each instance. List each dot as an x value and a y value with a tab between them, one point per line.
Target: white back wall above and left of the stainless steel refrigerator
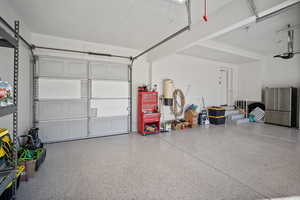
269	72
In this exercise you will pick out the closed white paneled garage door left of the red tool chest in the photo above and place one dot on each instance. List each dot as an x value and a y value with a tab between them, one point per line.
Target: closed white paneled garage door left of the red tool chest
77	99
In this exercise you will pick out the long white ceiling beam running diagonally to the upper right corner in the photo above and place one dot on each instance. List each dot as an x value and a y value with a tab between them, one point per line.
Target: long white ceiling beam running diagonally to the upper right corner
222	22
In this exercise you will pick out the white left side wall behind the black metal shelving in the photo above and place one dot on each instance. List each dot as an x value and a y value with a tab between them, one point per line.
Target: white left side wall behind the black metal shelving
6	72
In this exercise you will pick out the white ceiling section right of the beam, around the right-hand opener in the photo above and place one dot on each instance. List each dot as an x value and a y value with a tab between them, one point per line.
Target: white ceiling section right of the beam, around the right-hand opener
263	37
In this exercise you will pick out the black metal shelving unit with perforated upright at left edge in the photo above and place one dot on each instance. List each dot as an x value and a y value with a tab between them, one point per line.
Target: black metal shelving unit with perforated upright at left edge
7	40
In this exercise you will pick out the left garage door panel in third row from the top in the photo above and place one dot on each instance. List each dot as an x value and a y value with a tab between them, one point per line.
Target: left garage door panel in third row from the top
51	110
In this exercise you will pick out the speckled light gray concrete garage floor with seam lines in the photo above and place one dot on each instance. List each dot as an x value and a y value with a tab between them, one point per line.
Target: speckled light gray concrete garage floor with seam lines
249	161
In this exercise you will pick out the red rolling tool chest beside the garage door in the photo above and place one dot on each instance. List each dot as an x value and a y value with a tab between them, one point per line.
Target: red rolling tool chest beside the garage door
148	115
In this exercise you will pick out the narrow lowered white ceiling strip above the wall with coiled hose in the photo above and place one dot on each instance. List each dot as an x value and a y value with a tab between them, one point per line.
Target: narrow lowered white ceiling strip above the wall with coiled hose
216	55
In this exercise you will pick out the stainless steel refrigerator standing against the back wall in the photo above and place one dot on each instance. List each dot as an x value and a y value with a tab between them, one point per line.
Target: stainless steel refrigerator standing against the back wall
281	106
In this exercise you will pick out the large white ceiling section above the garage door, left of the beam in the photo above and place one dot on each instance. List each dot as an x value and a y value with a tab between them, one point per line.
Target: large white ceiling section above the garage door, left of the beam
129	23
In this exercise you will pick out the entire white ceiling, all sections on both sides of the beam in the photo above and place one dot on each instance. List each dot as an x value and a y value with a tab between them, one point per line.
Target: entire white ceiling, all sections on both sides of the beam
139	24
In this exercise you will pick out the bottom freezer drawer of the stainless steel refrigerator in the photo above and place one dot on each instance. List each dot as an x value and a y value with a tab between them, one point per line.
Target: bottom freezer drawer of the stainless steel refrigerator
277	117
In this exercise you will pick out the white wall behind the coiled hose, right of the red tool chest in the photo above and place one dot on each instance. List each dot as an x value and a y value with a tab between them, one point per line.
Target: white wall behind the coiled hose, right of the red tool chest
196	77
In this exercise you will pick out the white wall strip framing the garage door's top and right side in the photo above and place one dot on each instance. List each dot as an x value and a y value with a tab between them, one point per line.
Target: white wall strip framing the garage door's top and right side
140	68
